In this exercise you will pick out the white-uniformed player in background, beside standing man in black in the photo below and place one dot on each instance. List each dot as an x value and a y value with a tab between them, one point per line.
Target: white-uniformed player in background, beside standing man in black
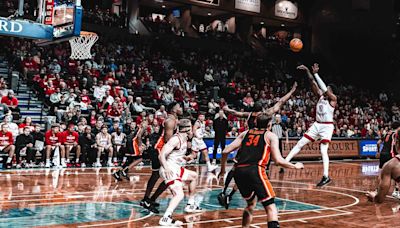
198	144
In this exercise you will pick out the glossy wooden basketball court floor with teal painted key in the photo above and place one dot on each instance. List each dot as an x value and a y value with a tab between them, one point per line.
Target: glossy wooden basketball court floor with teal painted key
92	198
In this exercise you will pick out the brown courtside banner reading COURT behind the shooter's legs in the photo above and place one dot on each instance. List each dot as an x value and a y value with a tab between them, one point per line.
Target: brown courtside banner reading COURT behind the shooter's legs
337	149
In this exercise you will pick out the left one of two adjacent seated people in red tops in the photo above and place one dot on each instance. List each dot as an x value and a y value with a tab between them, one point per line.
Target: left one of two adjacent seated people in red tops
53	139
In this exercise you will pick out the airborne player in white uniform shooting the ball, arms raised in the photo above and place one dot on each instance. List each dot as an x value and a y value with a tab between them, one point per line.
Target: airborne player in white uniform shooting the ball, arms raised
322	128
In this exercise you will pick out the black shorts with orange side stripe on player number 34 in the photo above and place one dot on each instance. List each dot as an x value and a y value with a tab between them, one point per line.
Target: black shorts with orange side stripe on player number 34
252	181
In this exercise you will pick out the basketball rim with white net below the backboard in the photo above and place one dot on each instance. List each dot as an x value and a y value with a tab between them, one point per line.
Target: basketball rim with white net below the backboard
81	45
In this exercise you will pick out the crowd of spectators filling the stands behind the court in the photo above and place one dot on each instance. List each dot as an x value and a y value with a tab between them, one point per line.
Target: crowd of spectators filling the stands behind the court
130	85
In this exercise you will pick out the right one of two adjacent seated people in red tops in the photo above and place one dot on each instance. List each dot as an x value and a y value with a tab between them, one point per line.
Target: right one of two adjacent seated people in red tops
70	142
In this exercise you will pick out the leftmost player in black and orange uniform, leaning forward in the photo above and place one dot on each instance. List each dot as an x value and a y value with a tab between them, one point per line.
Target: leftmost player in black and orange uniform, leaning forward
134	148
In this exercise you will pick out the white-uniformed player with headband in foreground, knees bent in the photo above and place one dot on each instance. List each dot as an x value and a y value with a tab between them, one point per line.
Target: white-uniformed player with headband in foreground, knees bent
171	156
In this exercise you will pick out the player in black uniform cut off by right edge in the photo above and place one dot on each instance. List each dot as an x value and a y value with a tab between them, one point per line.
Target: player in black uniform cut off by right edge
388	150
